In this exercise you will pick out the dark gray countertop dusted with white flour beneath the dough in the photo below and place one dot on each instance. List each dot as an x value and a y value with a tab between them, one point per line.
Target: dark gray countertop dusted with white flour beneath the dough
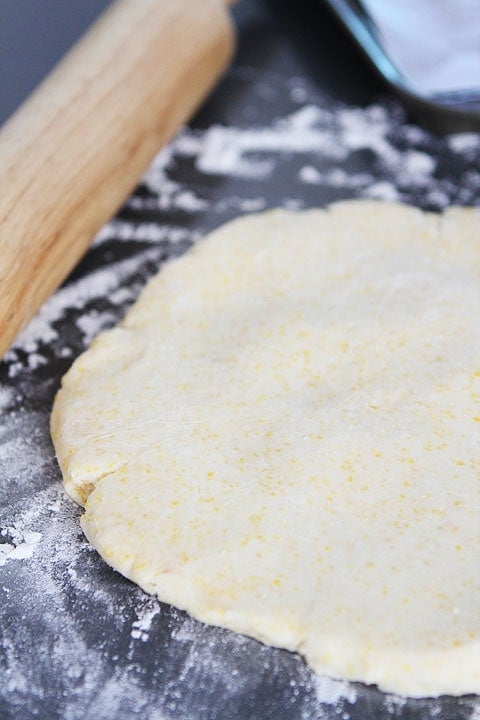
299	120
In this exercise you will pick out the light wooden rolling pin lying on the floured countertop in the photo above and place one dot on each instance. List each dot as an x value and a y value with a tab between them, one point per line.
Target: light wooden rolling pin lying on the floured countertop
79	144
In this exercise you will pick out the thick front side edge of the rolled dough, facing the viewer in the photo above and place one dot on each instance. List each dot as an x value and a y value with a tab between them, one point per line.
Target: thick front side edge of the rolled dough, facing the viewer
391	671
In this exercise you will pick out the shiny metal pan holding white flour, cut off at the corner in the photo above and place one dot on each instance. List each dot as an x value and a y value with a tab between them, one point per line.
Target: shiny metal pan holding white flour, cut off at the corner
428	52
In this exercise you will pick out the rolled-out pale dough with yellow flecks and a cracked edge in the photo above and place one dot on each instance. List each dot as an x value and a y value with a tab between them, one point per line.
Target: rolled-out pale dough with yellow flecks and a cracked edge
283	438
